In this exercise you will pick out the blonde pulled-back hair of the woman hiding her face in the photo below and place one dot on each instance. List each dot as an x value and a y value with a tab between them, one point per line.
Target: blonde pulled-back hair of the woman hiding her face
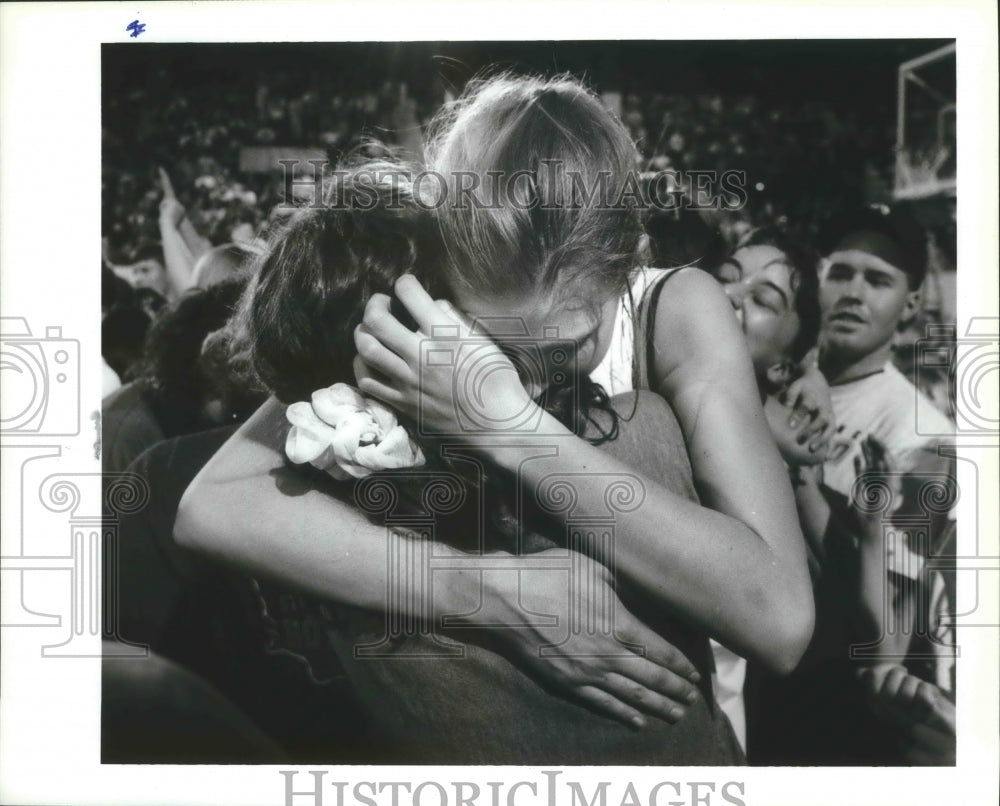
551	206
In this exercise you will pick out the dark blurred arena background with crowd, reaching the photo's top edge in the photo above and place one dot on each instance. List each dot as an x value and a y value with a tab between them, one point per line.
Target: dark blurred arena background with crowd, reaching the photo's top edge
812	126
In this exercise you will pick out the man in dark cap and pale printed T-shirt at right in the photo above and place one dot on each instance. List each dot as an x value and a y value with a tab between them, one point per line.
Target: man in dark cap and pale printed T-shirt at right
870	288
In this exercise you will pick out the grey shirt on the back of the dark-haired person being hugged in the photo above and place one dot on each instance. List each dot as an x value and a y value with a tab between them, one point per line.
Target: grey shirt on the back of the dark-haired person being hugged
458	699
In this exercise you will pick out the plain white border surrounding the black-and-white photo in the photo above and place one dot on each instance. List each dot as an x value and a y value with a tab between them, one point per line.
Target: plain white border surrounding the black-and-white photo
50	159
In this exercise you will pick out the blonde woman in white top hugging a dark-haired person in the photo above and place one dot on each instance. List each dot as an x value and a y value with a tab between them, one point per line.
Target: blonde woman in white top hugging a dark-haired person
549	257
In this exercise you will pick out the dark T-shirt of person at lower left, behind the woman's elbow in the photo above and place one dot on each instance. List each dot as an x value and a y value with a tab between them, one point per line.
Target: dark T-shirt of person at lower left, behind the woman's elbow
199	613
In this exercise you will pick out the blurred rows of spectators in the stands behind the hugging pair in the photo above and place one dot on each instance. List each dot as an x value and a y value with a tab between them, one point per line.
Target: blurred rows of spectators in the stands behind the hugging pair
793	158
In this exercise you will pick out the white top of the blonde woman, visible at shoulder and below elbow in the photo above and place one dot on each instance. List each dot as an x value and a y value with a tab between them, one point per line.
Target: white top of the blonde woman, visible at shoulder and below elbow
615	374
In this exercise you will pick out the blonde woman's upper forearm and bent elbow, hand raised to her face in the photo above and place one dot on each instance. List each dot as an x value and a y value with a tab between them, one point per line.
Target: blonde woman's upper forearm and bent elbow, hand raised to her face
751	594
